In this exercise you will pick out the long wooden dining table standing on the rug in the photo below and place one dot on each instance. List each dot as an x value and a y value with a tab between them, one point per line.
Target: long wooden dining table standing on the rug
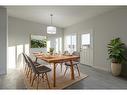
54	59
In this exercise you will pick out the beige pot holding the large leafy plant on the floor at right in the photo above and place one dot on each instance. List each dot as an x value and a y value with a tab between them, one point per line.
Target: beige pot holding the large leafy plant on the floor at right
116	69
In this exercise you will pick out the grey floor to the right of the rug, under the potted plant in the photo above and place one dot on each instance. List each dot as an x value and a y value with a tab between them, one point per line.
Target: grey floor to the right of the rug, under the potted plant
98	79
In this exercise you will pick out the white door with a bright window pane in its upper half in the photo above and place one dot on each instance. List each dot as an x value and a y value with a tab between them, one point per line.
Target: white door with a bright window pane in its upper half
86	49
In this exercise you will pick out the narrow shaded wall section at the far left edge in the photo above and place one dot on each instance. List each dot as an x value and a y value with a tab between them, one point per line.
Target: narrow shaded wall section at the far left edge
3	40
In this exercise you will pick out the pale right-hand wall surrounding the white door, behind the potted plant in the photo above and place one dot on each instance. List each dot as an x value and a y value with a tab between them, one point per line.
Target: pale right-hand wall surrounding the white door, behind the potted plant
105	27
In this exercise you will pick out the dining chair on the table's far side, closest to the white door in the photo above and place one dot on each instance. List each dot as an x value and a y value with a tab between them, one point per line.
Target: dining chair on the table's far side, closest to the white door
75	63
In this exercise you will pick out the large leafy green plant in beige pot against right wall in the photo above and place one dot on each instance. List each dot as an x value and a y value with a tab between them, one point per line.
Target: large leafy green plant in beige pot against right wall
115	52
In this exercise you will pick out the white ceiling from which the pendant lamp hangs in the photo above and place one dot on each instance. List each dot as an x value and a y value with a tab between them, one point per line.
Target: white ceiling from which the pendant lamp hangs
63	16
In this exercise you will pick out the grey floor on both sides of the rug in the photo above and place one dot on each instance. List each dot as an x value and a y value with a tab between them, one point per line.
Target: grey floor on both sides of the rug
97	79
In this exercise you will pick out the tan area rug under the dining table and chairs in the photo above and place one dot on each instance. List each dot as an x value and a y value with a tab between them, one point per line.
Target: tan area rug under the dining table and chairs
61	80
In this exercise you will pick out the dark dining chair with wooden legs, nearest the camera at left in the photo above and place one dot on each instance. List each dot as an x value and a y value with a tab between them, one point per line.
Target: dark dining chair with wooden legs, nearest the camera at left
39	72
